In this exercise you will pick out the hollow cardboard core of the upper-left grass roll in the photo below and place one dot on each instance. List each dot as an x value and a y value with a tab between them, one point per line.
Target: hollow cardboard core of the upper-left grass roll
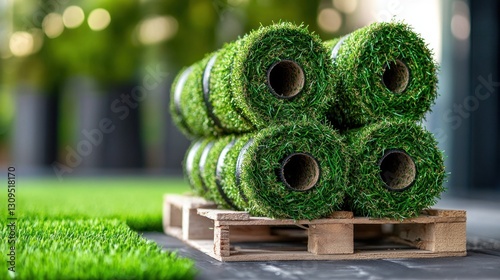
285	78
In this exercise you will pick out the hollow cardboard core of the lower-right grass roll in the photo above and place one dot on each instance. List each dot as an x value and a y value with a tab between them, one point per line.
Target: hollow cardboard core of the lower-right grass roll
397	170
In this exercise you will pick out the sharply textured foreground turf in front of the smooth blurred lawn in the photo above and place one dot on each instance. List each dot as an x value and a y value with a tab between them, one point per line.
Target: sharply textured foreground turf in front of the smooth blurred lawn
88	249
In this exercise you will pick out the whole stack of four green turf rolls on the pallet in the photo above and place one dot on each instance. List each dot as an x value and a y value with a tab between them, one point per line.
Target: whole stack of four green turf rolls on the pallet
284	125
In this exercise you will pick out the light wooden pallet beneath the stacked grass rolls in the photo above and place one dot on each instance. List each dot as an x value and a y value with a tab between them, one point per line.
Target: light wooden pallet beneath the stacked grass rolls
236	236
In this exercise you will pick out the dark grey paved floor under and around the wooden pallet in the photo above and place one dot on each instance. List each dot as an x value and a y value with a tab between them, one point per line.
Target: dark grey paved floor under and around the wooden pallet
482	260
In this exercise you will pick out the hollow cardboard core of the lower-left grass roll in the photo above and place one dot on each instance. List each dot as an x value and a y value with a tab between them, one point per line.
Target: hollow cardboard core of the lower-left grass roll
300	171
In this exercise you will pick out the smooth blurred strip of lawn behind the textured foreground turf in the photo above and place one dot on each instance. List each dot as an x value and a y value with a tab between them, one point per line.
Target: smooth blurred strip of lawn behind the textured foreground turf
137	201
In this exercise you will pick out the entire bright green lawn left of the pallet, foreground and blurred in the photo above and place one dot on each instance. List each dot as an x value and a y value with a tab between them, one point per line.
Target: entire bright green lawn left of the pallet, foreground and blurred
84	229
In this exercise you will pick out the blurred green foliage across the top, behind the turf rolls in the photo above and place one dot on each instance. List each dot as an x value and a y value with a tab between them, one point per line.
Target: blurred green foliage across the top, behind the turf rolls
114	54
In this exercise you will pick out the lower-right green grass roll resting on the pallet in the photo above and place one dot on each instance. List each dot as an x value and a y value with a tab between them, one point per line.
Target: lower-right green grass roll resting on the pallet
397	170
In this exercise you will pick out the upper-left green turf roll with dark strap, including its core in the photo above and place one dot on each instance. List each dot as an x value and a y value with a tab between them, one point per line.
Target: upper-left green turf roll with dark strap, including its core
274	74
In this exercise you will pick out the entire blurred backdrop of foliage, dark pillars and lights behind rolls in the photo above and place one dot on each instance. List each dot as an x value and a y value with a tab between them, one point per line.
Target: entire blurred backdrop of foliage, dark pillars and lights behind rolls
84	85
